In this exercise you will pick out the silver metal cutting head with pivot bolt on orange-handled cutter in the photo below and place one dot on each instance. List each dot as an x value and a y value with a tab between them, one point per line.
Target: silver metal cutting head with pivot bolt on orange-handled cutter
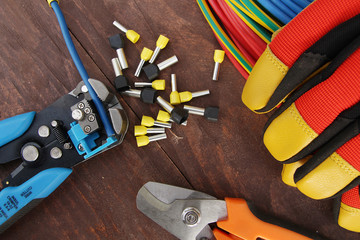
183	212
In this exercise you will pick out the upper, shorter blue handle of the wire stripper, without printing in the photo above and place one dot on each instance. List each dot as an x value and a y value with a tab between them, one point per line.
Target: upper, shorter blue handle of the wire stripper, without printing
14	127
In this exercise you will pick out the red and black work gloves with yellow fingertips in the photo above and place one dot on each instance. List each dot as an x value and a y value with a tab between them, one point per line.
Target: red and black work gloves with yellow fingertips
312	68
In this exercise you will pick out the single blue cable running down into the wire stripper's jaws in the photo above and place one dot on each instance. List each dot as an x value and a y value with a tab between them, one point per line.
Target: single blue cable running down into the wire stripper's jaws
80	67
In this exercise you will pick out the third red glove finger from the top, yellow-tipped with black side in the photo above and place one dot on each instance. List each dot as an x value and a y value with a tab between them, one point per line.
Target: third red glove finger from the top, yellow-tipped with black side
333	167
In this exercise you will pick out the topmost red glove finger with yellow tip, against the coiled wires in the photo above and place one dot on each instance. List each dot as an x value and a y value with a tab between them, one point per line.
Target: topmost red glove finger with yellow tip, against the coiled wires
288	45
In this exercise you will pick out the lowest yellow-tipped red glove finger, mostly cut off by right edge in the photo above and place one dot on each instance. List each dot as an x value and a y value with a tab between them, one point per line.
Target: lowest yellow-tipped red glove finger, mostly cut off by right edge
347	211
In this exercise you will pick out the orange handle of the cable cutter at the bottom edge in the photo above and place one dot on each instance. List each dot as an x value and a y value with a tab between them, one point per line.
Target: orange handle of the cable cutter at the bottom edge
244	223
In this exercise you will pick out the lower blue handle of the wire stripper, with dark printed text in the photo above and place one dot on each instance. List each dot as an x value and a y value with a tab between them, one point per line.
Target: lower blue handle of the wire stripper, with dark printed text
15	202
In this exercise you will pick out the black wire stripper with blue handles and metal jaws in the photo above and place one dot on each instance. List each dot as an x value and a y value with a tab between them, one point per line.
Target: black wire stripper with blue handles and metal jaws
50	143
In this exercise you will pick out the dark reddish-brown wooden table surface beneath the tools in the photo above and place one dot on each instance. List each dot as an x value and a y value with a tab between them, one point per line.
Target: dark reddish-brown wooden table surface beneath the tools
97	201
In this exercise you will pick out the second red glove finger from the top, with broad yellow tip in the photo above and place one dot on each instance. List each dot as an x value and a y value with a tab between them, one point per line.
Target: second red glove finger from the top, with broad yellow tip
315	106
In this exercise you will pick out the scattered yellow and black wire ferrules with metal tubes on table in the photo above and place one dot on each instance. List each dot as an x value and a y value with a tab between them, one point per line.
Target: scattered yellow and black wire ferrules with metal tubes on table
150	129
